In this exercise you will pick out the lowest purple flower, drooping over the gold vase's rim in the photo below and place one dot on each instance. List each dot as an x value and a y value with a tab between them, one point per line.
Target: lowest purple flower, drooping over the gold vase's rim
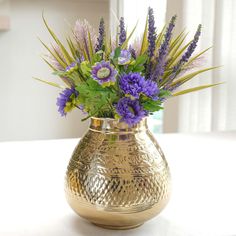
130	111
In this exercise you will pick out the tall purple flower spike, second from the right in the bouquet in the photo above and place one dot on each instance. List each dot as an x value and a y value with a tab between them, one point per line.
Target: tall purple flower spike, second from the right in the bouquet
163	51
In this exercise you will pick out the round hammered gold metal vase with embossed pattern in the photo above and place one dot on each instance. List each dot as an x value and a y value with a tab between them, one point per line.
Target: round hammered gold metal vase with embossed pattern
117	177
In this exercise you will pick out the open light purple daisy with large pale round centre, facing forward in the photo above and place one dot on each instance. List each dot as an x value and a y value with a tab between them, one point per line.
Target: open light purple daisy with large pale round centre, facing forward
104	73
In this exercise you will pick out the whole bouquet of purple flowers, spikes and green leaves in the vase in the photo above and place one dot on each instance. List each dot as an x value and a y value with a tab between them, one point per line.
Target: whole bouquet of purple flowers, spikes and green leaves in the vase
118	78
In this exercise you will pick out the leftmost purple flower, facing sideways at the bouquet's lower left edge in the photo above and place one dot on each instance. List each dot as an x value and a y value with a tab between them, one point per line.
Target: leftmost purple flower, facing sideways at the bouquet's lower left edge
66	100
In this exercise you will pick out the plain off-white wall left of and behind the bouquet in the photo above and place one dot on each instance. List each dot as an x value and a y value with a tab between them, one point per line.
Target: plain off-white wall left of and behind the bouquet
27	107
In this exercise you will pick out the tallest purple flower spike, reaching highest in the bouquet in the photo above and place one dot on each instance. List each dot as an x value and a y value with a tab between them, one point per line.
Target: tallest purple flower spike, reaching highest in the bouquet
151	33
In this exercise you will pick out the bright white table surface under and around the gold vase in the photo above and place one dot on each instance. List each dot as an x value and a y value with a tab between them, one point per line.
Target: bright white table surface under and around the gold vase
203	201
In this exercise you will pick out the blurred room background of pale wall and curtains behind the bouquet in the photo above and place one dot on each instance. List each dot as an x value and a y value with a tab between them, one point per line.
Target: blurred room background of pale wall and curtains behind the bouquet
28	108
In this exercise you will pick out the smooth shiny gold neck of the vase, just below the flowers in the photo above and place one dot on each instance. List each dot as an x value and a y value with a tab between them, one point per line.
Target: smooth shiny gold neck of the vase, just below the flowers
113	125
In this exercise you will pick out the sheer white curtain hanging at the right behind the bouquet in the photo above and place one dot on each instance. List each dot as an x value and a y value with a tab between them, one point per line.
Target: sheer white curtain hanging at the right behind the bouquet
211	109
